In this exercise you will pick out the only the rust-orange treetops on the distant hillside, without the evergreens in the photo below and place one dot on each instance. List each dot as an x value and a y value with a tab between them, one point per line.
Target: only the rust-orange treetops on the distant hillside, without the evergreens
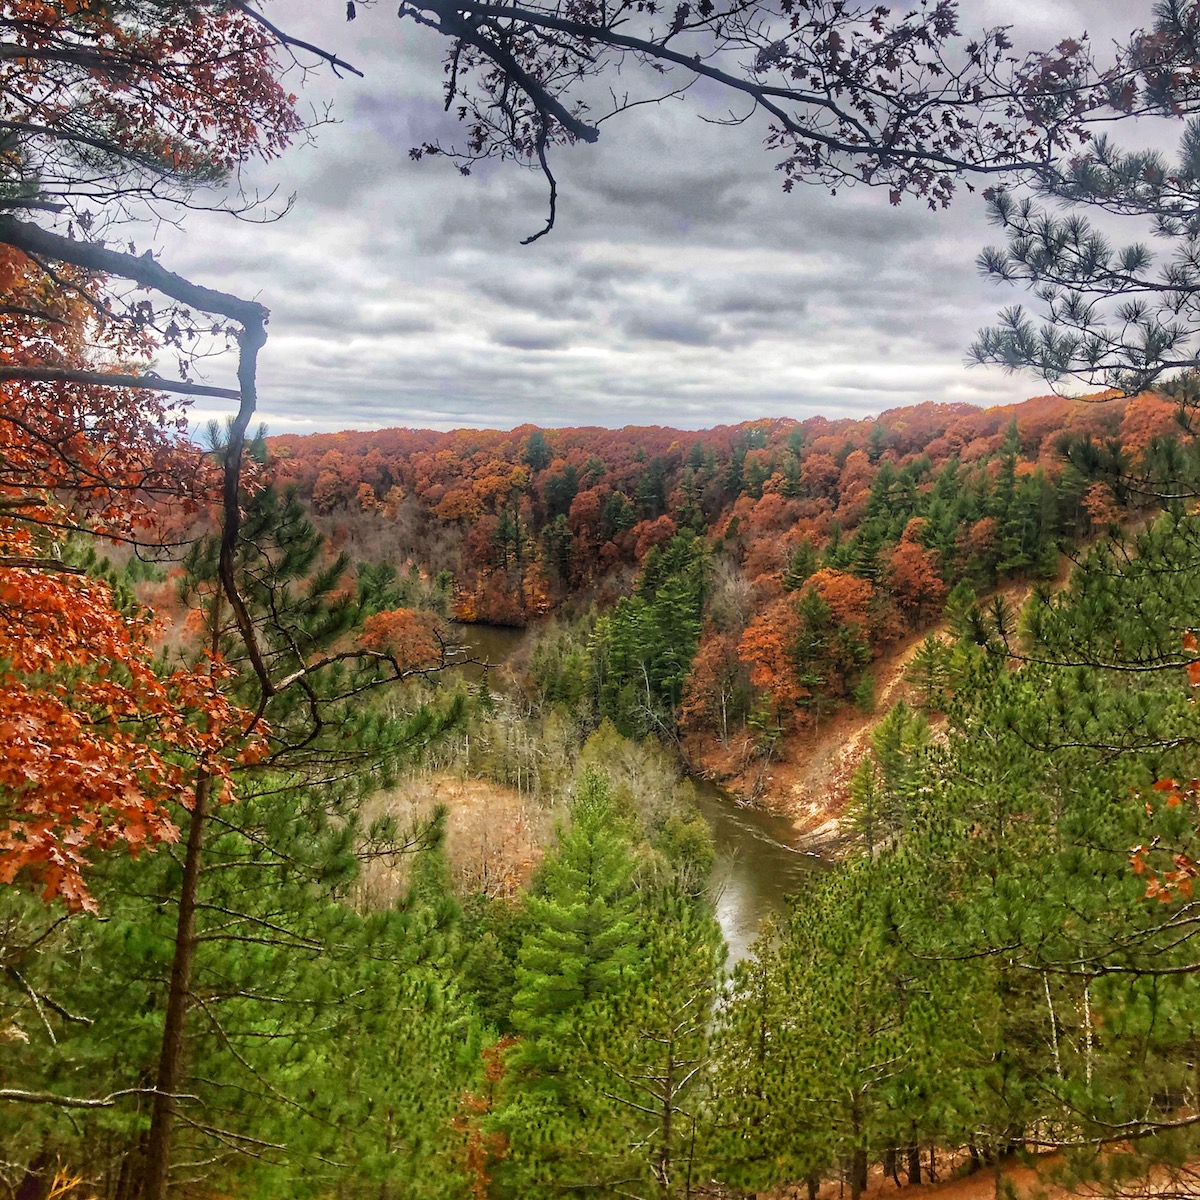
638	485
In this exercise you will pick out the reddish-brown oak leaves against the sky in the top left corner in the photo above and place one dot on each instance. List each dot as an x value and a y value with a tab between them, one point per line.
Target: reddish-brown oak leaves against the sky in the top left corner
185	98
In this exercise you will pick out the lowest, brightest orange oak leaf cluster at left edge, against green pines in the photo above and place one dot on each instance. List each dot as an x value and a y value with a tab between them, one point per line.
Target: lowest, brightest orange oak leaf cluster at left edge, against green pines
97	742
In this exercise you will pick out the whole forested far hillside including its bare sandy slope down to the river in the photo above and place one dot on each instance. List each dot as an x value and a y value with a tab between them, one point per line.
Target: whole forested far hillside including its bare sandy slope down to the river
752	592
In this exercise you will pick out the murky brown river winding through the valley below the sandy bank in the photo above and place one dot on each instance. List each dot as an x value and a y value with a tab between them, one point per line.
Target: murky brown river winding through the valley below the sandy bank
758	860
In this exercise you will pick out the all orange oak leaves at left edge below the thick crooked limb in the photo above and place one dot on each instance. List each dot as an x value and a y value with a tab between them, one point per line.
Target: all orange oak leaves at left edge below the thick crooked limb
95	741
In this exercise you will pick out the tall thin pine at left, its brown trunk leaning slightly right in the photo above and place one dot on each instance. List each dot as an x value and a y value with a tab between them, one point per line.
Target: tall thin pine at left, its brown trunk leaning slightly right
322	749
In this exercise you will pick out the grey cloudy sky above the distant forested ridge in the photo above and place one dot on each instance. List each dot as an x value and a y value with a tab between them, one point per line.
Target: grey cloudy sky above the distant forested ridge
680	287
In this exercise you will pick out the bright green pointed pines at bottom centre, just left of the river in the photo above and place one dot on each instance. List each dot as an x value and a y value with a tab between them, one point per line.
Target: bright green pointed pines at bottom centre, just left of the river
616	985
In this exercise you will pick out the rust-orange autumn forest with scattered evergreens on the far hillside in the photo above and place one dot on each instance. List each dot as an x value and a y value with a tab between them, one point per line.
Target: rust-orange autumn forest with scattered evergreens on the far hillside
848	535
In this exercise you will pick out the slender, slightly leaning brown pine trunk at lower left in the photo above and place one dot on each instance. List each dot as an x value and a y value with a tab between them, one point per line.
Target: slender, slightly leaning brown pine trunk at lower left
171	1060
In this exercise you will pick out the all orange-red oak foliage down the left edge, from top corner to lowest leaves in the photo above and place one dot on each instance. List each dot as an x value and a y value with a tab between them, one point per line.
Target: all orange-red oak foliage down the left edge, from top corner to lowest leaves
95	740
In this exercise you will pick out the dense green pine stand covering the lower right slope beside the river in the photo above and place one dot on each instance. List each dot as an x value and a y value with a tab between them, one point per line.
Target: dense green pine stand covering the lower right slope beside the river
993	973
